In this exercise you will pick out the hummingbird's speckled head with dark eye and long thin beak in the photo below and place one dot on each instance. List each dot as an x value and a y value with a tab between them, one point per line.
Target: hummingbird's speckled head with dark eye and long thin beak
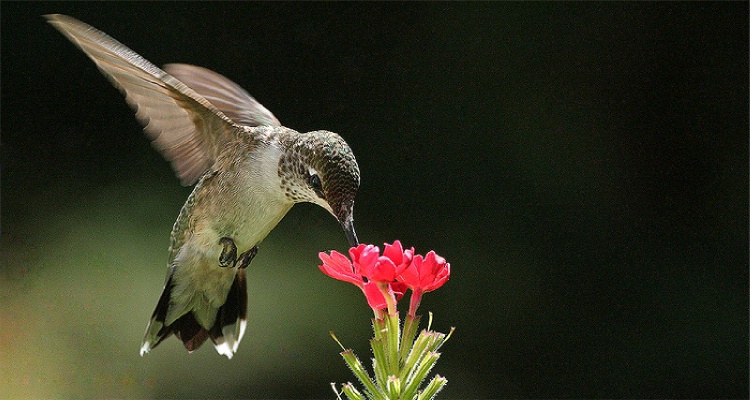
320	168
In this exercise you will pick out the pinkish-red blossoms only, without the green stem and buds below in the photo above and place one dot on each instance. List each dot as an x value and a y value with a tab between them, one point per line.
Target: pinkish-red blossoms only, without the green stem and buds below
384	278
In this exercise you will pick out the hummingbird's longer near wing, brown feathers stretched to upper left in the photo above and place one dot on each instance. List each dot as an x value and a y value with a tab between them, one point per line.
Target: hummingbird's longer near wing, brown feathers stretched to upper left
186	128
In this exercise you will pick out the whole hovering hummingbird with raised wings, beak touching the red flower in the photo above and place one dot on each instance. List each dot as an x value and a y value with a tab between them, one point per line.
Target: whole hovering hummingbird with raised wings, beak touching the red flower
248	171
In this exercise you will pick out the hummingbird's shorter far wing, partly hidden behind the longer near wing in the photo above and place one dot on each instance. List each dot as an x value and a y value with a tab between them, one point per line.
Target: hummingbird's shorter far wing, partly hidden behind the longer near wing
227	96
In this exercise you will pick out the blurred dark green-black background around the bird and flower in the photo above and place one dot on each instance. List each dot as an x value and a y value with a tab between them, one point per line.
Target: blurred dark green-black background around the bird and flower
582	166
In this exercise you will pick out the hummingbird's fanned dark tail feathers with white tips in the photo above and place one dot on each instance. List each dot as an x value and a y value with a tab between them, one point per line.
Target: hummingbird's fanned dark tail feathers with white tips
226	331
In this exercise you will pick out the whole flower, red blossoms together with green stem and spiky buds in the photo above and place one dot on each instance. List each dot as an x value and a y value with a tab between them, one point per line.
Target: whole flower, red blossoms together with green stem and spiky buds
401	361
